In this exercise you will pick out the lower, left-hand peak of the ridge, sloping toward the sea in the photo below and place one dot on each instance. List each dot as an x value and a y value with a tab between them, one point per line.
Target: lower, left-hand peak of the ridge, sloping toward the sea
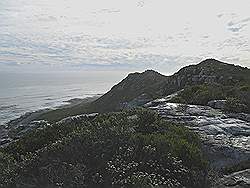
142	86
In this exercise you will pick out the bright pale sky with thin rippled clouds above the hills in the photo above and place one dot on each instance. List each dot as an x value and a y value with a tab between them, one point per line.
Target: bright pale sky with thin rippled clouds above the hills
119	35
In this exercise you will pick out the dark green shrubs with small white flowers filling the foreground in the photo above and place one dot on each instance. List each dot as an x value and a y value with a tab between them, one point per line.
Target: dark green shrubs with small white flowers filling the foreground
134	148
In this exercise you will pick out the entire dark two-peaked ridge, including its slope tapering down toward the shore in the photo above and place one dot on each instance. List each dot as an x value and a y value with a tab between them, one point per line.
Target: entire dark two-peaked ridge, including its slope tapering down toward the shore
212	79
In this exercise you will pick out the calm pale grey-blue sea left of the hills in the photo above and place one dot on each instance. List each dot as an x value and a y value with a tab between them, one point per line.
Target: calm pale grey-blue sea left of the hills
27	92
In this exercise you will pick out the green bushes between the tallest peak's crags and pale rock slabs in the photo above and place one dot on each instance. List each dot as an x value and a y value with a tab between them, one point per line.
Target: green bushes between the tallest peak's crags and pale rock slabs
237	96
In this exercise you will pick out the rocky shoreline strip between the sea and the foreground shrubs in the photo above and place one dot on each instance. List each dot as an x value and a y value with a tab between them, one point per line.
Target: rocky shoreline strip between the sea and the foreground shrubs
17	127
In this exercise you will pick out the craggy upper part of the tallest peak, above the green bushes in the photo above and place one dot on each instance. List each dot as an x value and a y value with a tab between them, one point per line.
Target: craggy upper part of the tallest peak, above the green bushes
209	71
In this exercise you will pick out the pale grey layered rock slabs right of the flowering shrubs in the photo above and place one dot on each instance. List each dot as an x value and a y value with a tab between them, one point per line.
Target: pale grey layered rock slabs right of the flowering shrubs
226	137
